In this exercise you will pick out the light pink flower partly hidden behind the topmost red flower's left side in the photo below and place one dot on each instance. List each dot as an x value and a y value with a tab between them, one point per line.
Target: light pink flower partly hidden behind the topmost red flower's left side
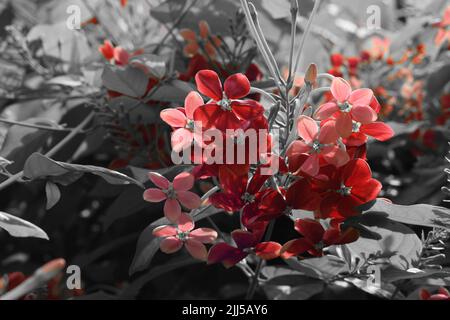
182	120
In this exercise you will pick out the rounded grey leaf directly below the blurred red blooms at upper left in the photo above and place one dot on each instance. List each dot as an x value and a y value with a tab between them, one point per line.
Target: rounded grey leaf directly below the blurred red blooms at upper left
129	81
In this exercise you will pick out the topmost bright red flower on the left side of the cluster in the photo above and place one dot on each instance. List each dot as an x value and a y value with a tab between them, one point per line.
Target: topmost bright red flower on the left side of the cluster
225	111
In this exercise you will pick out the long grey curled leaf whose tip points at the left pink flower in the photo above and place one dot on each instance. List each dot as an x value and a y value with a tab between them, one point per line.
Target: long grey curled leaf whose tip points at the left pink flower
39	166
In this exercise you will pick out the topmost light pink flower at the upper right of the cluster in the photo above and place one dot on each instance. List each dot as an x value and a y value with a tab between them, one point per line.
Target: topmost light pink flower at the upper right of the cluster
349	106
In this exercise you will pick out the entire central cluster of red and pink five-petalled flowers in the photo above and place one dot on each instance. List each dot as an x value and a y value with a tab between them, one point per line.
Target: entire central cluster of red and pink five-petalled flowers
323	171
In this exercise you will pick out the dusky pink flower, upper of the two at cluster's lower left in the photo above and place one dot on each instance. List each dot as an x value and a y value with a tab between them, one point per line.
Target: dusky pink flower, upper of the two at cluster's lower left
174	193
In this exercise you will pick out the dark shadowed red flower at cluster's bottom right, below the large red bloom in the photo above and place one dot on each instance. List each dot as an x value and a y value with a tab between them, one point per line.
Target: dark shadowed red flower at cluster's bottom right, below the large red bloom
315	238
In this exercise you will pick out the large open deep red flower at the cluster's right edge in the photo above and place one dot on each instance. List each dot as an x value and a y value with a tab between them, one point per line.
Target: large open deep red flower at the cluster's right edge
348	188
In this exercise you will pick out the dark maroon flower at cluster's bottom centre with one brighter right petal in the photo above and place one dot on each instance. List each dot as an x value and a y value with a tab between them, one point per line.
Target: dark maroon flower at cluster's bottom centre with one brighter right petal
246	243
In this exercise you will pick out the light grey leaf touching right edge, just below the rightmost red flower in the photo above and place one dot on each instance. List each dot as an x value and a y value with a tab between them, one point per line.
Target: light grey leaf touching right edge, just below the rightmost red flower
418	214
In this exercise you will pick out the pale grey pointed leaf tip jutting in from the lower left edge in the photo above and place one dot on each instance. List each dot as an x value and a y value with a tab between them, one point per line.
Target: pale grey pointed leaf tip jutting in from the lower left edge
20	228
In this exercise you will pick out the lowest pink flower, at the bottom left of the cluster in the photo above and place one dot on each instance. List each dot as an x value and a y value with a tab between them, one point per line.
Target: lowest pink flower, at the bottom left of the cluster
184	234
